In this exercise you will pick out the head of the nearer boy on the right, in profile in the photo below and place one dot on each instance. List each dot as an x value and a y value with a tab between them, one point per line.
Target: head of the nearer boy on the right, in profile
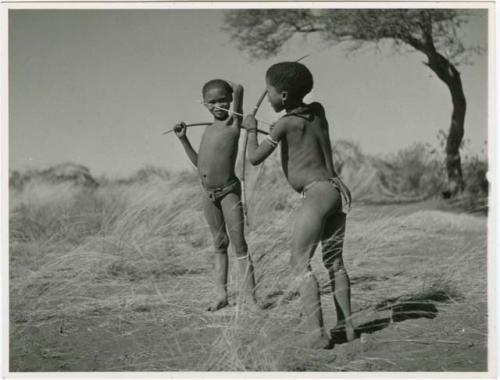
287	82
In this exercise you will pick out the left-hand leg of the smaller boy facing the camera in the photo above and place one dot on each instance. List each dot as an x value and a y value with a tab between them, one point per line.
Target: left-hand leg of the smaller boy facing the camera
214	216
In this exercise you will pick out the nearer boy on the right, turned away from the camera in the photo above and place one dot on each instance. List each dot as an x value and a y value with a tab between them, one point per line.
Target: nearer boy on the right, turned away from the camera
306	156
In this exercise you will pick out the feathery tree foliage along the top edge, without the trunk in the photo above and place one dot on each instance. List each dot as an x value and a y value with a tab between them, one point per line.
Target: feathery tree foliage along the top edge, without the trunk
263	32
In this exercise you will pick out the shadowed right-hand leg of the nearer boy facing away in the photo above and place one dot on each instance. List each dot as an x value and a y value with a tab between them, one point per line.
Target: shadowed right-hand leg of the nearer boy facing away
332	246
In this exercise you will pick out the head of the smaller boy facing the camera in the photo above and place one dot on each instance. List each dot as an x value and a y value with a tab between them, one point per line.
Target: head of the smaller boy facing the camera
217	97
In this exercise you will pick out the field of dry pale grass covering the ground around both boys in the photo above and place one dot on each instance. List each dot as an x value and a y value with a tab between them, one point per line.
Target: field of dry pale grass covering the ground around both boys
118	278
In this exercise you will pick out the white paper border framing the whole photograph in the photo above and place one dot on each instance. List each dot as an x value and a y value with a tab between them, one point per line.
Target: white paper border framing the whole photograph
493	159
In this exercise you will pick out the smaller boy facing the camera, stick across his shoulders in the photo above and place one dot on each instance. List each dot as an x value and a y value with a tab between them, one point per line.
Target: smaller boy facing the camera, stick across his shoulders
222	191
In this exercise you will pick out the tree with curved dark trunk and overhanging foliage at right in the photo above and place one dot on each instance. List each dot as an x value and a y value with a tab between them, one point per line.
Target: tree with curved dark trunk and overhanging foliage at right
433	32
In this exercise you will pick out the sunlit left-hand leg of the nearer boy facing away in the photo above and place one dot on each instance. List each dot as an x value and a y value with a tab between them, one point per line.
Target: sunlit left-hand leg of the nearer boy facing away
306	236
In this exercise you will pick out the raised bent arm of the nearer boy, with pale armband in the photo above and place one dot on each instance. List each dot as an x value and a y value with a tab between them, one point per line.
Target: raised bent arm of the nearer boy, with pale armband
258	153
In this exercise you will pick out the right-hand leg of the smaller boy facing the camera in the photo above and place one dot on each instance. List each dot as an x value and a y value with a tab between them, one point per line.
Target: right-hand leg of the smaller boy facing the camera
233	215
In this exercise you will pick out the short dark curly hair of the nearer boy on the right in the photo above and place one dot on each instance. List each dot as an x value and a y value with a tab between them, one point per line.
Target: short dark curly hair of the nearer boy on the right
293	77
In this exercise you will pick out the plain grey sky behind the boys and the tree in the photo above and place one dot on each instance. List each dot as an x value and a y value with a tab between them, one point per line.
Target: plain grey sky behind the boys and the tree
98	87
